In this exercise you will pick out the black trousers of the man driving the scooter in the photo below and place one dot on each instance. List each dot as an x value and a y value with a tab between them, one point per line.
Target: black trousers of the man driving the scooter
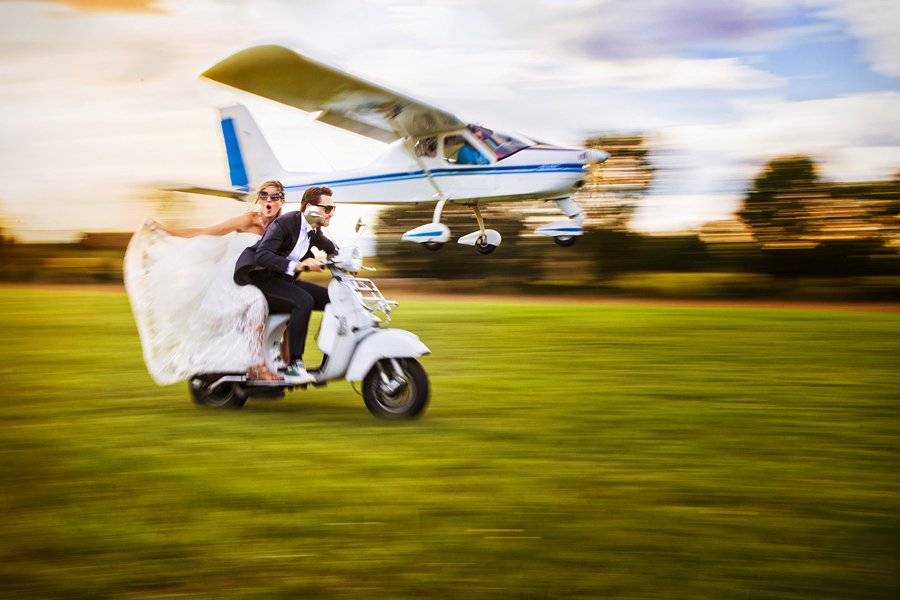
299	298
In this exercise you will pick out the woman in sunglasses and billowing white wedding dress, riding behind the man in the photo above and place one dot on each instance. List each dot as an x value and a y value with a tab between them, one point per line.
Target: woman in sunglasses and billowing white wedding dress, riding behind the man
191	316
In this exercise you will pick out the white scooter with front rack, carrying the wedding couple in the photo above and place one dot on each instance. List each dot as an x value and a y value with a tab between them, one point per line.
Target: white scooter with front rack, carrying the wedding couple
356	343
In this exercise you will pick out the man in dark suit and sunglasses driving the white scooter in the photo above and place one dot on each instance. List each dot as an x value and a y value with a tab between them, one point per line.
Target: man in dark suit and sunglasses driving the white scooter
273	263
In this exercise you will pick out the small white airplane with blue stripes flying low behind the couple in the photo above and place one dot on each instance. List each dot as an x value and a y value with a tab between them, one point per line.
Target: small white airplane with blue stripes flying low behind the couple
432	156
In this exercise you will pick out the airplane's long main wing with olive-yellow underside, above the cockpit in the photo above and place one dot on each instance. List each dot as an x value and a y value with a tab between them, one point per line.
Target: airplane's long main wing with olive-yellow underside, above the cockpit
345	101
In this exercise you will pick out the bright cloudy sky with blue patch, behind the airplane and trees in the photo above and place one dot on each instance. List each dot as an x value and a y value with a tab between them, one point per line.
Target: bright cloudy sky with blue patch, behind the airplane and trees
101	99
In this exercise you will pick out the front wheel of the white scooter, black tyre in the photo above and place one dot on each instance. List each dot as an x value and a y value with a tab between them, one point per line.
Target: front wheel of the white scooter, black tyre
396	388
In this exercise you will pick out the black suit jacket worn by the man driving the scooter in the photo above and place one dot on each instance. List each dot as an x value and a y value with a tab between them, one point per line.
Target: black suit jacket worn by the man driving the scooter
271	251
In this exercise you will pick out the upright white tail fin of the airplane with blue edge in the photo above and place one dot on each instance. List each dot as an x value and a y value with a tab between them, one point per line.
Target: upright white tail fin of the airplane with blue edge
250	158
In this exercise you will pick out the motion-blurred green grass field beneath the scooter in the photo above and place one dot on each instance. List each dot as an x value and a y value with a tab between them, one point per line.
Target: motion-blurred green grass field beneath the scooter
569	451
